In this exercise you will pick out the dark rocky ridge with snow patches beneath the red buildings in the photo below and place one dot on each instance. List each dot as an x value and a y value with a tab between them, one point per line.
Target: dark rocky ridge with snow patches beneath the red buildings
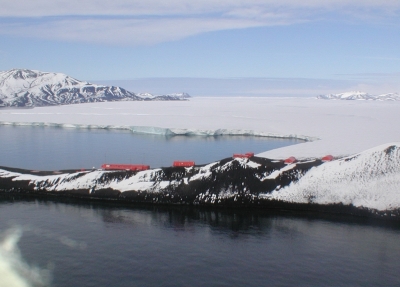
368	180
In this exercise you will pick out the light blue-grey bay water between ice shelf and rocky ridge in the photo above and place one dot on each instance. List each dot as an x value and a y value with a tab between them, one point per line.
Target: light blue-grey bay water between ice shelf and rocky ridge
52	148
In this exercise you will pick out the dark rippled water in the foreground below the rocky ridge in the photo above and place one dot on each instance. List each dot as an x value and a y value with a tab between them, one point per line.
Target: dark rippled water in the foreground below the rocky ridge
106	245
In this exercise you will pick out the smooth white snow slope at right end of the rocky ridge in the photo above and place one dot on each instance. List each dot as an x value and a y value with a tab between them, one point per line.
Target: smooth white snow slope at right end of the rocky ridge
369	179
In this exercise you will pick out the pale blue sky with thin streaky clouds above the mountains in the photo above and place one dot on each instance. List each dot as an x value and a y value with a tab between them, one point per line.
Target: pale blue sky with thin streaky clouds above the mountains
252	47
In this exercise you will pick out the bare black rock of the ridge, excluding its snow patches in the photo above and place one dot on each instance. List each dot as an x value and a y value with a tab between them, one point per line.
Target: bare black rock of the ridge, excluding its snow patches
242	183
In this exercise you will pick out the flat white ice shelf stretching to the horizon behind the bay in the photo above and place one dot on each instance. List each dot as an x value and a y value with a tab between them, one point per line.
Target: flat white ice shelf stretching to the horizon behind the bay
336	127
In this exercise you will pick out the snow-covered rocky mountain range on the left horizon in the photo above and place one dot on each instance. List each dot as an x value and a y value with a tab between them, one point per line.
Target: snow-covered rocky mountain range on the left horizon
32	88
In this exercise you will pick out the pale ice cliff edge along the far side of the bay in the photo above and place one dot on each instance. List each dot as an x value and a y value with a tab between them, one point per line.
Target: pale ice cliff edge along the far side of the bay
167	131
